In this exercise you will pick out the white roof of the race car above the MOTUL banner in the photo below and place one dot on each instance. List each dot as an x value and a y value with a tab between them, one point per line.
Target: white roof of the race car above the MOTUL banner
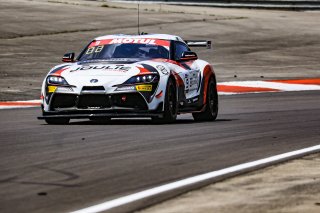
152	36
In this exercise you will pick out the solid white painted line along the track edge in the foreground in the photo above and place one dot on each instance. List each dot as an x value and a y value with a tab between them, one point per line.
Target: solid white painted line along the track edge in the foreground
193	180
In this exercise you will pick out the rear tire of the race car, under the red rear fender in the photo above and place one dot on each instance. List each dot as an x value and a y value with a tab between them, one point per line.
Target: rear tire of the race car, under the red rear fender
210	112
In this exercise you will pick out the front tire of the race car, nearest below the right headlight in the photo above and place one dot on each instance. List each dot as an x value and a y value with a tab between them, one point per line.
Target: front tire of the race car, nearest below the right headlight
170	105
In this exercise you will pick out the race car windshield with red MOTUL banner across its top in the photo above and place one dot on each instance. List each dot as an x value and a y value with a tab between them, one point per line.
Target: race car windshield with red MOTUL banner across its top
140	49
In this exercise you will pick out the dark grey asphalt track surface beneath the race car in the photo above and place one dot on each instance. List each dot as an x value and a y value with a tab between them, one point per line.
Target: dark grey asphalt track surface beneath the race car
47	168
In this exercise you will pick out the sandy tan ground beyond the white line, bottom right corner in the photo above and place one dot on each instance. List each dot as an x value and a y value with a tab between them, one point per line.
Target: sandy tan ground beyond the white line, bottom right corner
289	187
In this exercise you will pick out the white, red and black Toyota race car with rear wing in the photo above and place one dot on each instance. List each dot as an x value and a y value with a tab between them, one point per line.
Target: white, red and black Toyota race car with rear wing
155	75
